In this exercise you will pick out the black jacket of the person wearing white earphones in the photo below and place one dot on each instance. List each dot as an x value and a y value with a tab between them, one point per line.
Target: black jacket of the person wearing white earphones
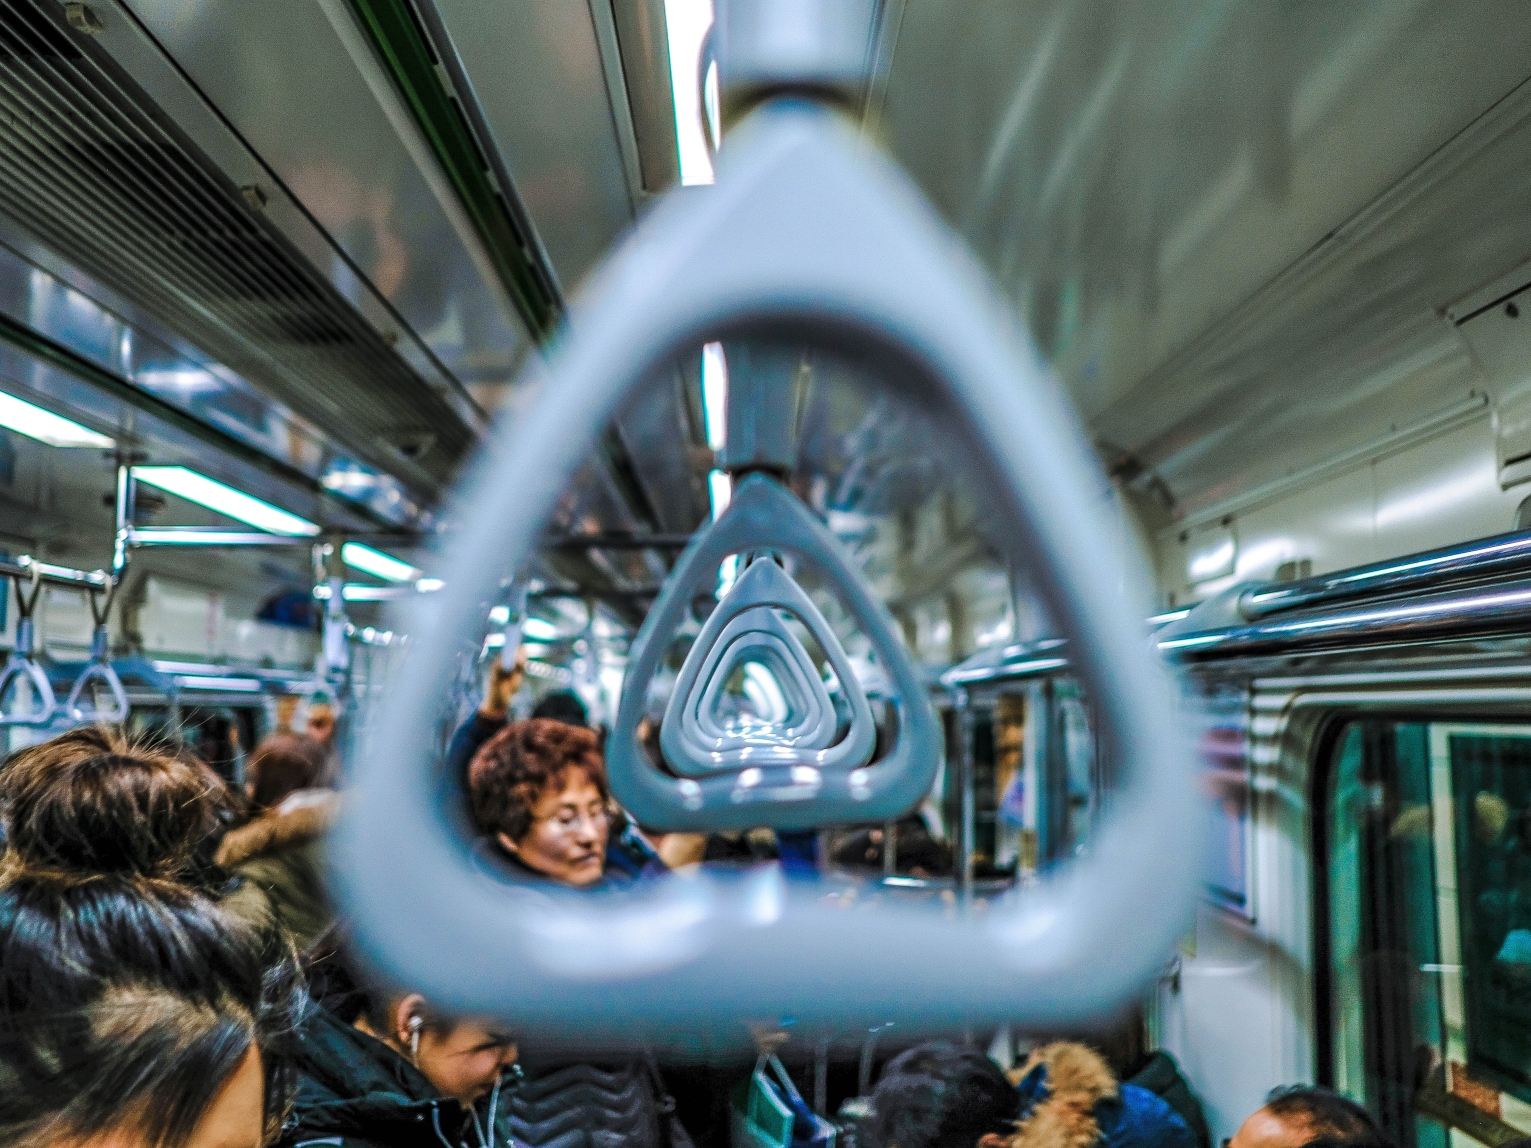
354	1092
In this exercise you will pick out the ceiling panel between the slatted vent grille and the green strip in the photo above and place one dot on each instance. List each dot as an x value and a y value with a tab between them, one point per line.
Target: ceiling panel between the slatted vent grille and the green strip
299	83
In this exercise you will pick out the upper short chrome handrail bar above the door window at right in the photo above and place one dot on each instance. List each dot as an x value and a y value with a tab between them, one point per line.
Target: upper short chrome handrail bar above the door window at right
1431	570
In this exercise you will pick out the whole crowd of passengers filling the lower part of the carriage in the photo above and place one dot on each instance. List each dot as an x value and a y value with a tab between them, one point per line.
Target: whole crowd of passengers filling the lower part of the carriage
174	974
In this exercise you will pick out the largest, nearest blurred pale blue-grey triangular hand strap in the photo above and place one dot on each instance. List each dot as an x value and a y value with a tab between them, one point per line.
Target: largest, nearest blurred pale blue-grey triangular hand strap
808	236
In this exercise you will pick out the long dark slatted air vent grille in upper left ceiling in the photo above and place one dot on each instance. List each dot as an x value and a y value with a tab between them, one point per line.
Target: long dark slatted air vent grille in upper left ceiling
99	175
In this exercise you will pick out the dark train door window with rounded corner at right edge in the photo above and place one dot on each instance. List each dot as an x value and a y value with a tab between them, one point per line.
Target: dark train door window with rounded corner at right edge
1428	838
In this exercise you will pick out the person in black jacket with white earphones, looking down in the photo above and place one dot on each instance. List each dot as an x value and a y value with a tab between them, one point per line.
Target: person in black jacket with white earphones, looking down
385	1071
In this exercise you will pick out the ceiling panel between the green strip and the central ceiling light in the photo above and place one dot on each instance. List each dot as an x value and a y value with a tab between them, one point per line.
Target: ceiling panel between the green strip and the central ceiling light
541	82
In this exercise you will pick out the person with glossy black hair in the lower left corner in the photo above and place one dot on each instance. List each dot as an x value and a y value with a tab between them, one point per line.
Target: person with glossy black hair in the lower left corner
135	1014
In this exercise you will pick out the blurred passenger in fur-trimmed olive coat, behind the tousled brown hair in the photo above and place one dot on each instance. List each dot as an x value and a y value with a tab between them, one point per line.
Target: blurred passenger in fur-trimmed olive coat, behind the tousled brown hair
279	850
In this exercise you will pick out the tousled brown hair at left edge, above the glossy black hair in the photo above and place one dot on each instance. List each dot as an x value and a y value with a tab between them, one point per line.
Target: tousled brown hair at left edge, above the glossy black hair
96	801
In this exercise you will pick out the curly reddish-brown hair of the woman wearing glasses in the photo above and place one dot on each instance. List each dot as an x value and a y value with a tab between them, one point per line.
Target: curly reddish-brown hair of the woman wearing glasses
523	763
